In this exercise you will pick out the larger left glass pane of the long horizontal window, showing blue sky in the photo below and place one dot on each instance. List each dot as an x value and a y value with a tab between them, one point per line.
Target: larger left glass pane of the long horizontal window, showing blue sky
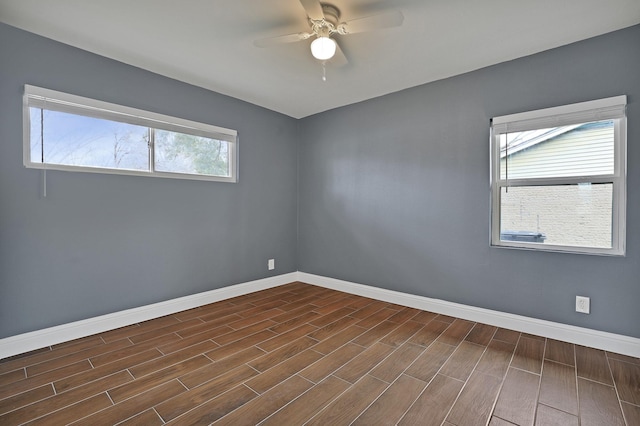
75	140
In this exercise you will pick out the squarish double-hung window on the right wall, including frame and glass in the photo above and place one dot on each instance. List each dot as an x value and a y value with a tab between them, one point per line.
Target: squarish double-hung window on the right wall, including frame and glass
558	178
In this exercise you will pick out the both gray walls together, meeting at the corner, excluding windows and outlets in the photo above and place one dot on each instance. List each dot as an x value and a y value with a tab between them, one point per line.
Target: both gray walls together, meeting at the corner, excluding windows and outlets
392	192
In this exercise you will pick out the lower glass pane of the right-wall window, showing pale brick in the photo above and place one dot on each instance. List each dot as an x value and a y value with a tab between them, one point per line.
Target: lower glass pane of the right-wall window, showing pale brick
571	215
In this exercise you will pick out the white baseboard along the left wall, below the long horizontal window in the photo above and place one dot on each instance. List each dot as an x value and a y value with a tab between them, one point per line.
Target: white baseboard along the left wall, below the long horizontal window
26	342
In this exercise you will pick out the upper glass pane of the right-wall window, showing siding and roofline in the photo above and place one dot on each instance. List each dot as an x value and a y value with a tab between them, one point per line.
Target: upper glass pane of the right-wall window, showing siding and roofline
578	150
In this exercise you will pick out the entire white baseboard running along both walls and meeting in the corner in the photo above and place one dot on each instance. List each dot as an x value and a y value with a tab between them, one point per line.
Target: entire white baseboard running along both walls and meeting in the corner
26	342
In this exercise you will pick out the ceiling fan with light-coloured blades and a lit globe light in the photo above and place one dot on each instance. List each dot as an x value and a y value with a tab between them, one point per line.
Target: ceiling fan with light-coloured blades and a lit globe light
324	20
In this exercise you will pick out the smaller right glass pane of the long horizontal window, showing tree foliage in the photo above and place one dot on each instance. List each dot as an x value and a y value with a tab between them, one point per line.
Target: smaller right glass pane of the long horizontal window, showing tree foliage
182	153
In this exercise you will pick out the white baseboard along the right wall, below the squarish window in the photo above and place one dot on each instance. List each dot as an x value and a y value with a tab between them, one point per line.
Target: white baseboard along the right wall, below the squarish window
582	336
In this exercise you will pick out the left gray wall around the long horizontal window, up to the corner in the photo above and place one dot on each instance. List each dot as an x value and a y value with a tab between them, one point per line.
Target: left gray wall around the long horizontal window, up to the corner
102	243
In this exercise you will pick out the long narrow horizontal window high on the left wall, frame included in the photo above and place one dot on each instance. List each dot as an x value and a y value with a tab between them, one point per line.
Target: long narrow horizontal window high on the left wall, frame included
67	132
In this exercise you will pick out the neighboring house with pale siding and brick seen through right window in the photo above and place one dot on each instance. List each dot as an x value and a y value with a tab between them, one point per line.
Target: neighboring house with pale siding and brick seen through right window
568	151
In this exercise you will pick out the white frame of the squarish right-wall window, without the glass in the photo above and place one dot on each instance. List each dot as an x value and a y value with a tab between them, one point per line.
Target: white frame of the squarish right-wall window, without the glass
602	109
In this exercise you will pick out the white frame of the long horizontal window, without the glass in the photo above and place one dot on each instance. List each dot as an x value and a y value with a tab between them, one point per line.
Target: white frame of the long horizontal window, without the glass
64	102
